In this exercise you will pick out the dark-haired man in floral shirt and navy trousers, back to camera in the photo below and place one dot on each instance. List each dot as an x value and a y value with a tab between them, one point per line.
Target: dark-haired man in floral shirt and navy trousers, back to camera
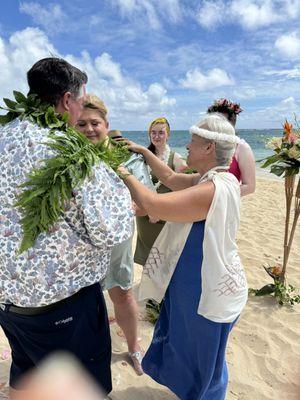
50	297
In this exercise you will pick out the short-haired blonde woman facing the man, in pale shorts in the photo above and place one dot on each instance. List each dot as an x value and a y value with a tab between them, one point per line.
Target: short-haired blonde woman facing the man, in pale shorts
94	124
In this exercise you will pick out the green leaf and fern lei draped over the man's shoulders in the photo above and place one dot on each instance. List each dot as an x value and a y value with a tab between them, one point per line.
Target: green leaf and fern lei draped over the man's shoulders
49	187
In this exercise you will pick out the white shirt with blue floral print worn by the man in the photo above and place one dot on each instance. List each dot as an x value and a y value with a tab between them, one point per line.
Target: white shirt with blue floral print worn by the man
76	253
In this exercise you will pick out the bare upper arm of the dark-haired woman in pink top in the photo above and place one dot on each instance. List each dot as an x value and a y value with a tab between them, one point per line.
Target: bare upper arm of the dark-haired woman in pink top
245	159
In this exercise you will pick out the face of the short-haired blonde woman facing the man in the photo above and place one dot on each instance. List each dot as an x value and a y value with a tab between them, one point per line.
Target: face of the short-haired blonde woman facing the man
94	127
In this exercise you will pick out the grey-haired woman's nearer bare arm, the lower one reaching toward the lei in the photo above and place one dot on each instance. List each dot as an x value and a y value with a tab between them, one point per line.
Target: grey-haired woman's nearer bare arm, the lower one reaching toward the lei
188	205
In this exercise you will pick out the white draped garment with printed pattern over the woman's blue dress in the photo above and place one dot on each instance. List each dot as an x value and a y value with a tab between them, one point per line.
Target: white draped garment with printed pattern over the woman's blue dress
224	285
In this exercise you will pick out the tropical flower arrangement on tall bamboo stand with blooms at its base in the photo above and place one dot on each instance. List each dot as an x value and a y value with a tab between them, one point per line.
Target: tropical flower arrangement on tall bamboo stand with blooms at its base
285	162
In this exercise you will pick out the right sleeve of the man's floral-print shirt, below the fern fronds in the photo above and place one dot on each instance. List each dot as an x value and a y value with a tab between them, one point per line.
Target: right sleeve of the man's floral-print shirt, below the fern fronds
107	208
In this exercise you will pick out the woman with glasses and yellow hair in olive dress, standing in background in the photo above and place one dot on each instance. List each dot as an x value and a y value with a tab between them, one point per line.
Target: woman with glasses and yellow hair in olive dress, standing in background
148	227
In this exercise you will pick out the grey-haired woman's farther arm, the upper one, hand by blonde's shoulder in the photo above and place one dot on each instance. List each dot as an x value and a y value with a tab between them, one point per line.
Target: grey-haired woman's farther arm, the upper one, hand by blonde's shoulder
163	172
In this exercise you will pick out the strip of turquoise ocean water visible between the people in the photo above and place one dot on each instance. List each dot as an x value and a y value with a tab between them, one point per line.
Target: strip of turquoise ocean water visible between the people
256	138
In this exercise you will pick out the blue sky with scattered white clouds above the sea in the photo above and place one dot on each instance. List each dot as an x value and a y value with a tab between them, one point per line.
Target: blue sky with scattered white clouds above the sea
150	58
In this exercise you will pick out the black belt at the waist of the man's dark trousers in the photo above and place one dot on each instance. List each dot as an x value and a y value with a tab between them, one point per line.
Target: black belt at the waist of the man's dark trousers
43	309
